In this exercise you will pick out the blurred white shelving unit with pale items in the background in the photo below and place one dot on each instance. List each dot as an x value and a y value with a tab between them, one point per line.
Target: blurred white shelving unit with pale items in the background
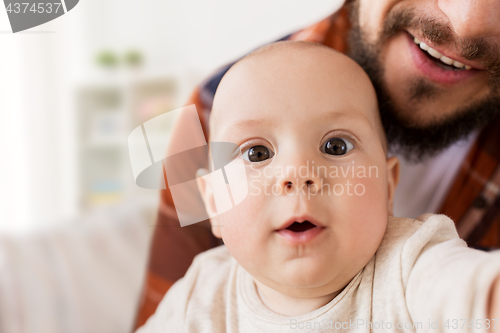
108	110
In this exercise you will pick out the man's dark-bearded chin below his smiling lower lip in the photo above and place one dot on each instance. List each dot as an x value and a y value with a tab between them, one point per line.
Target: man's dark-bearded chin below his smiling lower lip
426	123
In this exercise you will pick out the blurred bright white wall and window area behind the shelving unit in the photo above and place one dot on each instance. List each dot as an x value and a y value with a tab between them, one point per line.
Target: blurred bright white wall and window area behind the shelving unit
43	68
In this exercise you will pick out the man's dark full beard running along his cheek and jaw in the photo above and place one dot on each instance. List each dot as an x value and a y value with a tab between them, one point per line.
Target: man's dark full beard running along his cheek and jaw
406	139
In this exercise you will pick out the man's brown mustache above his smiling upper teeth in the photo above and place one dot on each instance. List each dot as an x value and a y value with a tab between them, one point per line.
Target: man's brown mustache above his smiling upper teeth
440	33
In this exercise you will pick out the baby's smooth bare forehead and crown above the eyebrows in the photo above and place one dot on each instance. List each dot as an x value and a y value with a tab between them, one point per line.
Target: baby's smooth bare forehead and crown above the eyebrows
272	83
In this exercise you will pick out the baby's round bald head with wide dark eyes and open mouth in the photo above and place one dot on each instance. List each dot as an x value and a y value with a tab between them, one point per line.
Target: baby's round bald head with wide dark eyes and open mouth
320	185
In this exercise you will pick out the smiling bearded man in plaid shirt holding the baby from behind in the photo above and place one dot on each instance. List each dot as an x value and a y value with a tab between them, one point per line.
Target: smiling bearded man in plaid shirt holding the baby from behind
436	69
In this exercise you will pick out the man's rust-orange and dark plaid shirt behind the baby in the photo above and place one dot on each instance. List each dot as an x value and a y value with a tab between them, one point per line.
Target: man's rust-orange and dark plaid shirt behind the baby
473	201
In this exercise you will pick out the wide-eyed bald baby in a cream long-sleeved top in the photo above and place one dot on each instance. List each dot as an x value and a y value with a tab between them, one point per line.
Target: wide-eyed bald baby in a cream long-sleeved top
313	247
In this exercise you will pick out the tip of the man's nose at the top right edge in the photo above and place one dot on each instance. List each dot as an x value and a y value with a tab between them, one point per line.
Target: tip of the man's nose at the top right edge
473	18
